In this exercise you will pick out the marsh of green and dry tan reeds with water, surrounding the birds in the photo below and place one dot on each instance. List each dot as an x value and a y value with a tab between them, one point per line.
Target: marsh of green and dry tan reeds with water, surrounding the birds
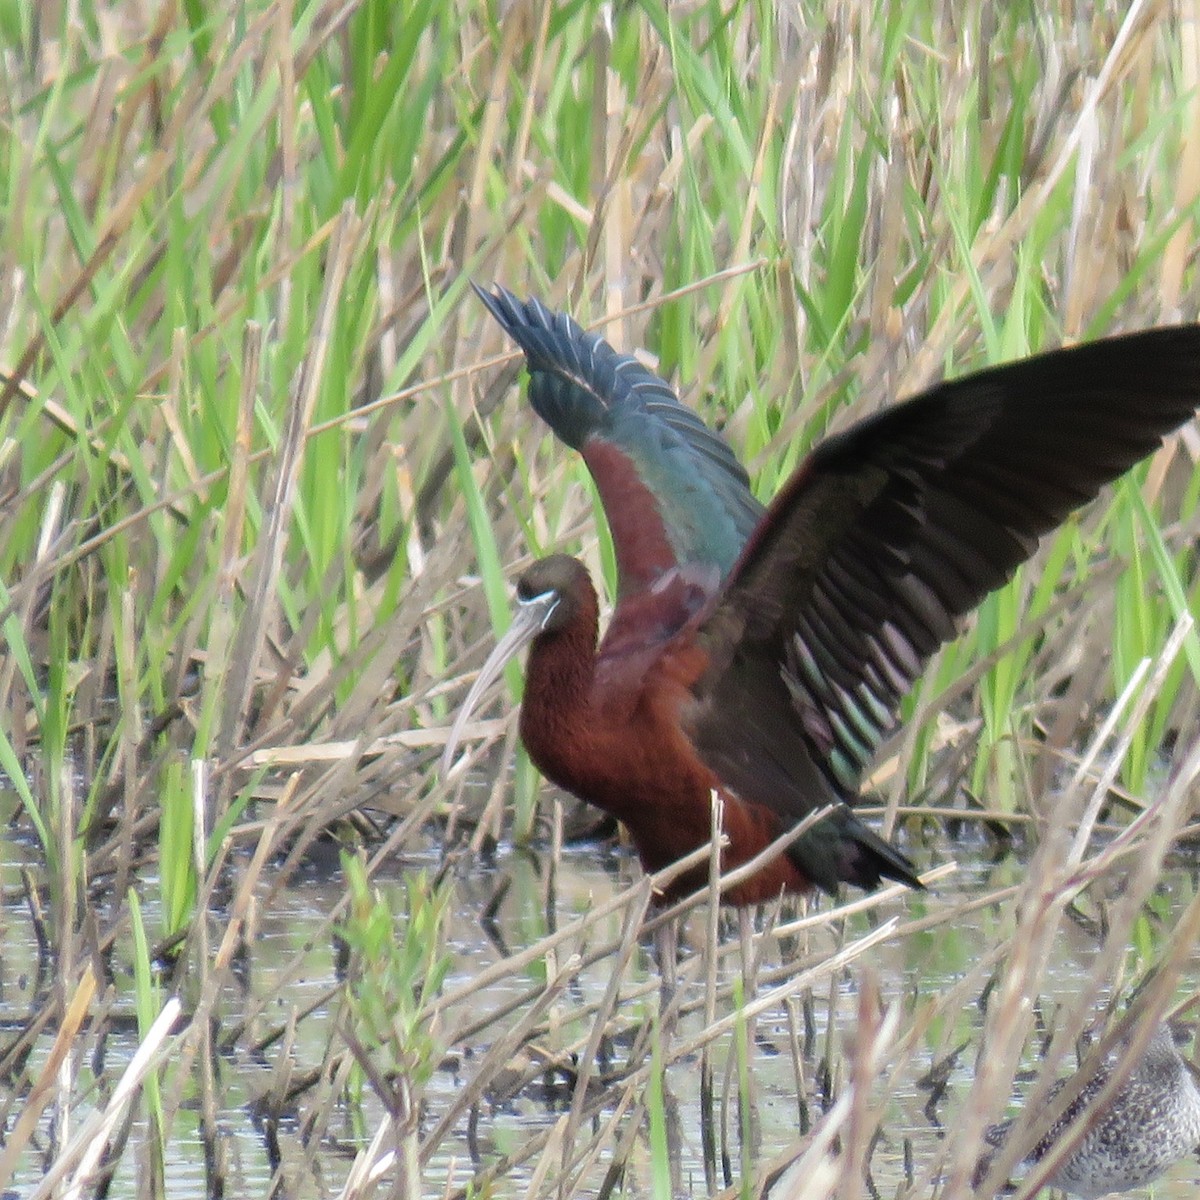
265	475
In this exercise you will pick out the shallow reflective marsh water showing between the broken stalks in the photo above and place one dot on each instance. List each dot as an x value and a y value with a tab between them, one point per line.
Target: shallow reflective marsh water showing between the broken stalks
293	967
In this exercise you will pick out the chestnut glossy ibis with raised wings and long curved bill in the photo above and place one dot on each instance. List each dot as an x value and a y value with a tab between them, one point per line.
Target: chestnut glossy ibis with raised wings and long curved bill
761	655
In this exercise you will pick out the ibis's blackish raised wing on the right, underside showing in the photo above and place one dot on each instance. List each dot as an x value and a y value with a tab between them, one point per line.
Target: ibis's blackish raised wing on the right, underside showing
892	531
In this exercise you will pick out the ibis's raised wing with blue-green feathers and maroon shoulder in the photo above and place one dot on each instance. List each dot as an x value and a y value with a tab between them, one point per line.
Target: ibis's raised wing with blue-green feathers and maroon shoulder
674	494
